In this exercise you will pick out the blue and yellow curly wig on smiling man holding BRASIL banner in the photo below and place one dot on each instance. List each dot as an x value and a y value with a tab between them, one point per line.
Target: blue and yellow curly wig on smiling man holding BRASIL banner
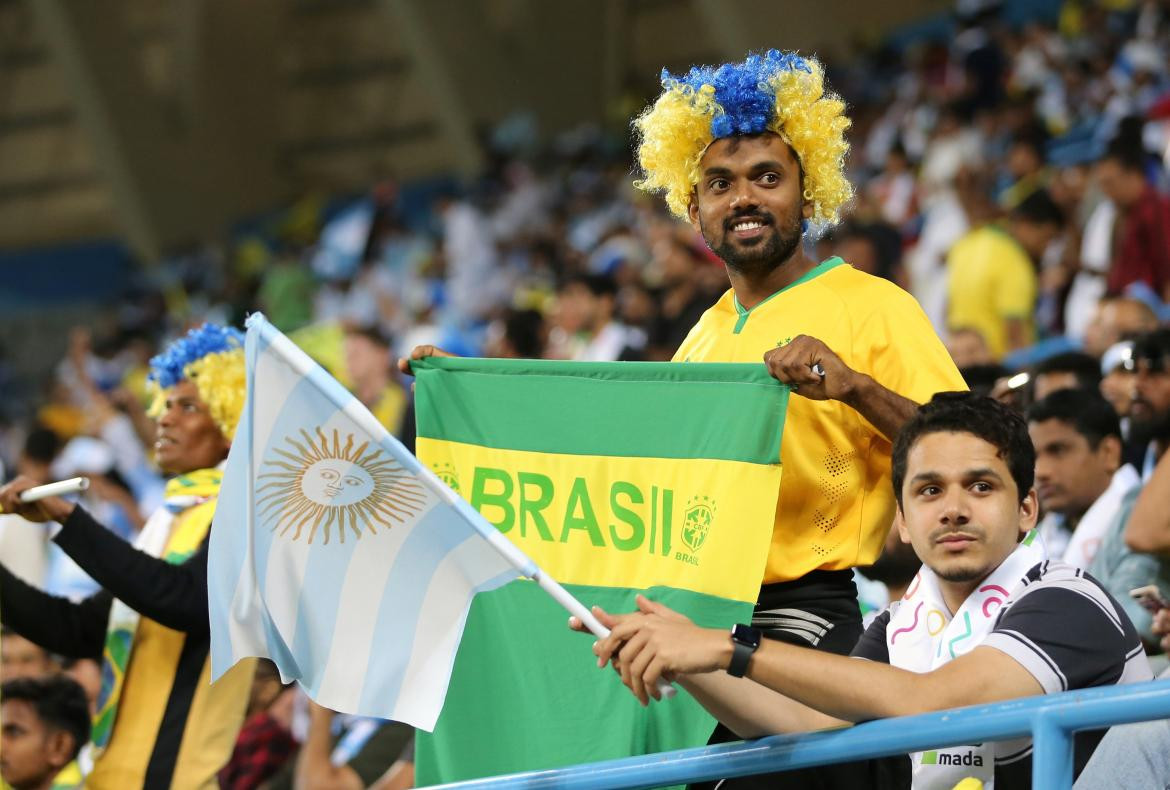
777	92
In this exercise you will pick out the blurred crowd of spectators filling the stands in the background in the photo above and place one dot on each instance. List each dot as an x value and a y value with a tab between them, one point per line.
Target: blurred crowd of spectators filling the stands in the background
1011	173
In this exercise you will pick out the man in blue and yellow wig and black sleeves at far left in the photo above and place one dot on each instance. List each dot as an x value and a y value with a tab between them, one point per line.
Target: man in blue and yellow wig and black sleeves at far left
160	724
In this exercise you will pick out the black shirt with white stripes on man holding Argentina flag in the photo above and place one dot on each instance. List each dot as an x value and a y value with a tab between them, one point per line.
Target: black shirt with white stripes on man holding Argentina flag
1069	633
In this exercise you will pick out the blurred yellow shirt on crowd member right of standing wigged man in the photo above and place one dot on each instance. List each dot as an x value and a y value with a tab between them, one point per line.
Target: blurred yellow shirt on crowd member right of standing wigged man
990	281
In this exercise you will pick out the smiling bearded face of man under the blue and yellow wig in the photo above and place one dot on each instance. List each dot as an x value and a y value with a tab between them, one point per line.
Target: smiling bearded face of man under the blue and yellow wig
748	203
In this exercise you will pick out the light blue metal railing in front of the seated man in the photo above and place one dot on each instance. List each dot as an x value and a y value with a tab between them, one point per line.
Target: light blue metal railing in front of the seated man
1051	720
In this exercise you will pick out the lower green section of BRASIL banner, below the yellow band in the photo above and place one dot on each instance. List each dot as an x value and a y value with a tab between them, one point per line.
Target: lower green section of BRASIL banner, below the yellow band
563	709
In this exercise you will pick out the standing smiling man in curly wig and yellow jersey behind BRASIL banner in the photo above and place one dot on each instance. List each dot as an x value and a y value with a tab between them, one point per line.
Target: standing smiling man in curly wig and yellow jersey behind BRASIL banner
752	154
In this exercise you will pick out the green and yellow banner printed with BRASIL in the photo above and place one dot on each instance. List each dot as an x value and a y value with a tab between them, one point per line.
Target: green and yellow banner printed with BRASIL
617	479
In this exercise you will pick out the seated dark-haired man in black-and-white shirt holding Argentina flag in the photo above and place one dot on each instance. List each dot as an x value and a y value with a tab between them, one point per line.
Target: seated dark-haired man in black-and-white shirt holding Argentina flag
988	619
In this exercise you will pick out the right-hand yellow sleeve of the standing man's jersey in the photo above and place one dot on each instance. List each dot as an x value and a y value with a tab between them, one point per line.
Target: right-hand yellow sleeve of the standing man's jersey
901	348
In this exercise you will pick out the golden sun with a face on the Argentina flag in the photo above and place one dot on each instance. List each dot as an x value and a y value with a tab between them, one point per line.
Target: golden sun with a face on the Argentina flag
325	483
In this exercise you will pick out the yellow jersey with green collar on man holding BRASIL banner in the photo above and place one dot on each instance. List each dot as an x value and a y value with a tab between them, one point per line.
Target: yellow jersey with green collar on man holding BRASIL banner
836	505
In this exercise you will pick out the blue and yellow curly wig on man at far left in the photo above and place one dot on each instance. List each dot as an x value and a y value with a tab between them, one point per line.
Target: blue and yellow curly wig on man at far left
212	358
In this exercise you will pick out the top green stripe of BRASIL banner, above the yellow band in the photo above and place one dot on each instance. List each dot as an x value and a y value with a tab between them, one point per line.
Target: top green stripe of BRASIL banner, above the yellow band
665	410
